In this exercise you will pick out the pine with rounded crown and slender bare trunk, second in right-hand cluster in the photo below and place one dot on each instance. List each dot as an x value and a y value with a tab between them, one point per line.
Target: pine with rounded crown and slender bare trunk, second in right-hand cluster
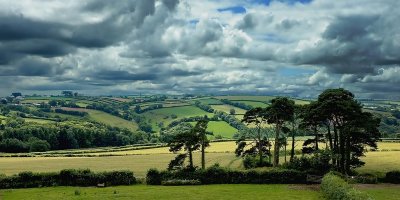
280	111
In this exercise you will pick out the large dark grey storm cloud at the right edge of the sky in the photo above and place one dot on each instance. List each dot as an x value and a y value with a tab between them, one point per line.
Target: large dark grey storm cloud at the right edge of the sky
355	44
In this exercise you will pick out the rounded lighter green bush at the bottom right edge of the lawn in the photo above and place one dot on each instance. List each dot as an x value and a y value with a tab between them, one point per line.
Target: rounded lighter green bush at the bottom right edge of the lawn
335	188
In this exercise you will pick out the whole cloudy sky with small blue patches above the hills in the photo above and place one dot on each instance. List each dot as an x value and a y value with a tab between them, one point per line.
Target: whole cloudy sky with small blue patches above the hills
263	47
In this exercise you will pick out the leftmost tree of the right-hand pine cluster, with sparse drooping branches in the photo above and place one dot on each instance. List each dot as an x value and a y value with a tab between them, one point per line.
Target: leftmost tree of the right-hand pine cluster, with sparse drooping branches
260	144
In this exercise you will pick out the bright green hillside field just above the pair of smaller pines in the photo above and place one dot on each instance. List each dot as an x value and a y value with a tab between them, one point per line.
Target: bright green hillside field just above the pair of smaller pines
164	114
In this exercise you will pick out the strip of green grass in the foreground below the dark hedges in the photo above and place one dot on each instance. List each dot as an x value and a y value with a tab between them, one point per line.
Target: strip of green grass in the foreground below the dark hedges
211	192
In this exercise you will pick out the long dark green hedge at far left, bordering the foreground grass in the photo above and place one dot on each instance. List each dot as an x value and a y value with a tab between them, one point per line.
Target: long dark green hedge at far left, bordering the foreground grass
69	177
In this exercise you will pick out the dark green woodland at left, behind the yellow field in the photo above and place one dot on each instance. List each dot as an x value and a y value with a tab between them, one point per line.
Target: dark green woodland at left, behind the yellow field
19	136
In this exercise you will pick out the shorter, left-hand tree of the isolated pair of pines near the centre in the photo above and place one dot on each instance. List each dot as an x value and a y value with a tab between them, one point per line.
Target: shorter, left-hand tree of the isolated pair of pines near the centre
185	138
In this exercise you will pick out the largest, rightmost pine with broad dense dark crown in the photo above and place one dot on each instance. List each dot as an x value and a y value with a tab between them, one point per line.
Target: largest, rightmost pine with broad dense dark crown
352	128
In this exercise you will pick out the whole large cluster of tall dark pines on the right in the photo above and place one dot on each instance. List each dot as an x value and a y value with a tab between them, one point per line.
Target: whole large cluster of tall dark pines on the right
336	119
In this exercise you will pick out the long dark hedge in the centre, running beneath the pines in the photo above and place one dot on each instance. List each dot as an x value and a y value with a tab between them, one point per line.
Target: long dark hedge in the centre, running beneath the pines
219	175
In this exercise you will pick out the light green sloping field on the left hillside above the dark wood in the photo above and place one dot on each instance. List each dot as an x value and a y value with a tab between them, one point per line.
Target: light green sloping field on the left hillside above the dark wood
107	119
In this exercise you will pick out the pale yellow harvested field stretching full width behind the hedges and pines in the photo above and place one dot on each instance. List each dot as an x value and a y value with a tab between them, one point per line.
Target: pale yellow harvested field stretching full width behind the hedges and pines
139	161
